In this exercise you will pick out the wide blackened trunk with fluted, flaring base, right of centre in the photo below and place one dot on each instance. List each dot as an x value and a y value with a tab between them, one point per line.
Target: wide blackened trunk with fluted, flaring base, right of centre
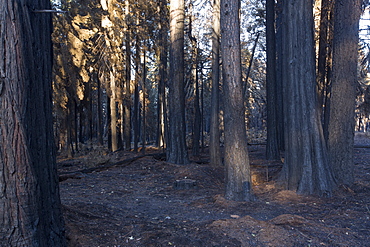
306	168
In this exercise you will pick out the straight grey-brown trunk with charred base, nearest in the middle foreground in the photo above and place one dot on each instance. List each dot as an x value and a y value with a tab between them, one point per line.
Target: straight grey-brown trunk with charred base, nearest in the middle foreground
238	179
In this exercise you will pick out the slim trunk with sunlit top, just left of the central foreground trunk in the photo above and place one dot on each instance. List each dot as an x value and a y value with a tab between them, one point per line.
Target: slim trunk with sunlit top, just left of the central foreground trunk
214	146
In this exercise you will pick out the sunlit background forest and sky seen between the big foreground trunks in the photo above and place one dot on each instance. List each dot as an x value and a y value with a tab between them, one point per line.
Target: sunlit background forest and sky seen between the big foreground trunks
99	71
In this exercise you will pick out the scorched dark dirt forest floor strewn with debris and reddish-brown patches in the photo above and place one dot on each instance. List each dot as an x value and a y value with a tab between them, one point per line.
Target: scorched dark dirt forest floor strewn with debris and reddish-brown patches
149	202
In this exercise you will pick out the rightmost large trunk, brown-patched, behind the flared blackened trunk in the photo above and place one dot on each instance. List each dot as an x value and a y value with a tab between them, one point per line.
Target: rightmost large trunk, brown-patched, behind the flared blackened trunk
343	90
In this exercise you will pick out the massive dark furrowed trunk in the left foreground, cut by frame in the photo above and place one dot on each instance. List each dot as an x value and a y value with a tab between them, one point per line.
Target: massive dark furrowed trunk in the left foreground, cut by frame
29	194
